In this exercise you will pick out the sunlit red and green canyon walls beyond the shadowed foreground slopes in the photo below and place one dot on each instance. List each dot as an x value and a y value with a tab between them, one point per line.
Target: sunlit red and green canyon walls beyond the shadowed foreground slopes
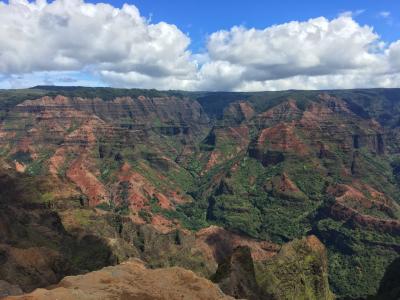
269	167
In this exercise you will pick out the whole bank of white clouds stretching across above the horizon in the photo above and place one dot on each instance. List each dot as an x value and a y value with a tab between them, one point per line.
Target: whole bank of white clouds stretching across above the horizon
119	47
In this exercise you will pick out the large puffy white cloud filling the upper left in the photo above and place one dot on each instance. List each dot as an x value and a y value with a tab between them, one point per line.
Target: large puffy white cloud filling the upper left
74	35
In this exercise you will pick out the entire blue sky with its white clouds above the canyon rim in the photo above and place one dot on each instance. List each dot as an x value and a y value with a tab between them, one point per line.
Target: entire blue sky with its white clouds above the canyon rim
201	45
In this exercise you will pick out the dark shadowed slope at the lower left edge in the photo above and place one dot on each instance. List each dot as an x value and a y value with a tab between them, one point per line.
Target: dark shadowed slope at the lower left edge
35	248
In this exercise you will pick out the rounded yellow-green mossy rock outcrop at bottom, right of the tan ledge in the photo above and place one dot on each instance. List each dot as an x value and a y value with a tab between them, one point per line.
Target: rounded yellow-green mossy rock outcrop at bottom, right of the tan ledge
298	271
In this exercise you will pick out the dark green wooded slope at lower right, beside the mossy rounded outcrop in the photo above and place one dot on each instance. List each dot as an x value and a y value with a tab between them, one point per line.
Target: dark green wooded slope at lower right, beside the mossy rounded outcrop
356	262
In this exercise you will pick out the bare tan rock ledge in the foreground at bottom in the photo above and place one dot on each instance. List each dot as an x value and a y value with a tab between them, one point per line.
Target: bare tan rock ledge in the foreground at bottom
131	280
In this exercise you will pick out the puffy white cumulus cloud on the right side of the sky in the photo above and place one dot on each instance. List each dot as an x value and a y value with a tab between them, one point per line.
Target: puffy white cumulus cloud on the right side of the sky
316	47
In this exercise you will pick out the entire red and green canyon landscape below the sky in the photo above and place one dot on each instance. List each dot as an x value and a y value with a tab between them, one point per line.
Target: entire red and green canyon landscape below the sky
267	195
